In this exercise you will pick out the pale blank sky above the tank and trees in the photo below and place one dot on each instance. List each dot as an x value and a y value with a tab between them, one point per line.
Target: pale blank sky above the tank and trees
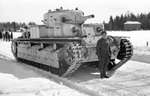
33	10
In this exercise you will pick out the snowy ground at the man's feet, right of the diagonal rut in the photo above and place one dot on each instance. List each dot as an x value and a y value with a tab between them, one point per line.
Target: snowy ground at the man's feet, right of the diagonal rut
132	79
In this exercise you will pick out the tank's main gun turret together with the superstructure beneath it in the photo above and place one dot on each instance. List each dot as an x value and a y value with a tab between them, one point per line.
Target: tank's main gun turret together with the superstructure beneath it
60	23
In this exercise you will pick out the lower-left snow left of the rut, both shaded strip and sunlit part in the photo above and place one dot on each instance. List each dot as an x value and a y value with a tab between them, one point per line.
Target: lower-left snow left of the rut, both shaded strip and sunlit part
16	80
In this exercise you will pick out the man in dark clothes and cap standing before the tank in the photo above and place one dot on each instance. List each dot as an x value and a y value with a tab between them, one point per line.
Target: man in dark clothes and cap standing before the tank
103	52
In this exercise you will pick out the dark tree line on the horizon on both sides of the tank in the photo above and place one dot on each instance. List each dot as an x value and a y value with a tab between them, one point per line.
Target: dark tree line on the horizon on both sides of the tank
116	23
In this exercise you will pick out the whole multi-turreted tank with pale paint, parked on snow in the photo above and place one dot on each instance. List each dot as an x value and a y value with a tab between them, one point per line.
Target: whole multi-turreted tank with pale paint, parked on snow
64	42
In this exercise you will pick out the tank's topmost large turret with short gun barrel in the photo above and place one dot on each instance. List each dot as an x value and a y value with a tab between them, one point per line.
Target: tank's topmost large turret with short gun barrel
61	16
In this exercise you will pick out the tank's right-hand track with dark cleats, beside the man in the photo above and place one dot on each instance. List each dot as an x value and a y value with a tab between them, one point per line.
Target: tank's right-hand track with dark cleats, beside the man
125	53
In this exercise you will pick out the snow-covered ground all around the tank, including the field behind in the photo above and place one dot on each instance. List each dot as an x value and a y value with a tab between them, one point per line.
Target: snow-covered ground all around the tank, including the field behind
132	79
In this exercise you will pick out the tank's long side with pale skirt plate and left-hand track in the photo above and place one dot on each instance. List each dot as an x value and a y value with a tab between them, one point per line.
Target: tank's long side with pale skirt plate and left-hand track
56	55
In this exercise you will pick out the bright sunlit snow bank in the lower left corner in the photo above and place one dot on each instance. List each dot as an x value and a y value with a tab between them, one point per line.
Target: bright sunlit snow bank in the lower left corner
12	86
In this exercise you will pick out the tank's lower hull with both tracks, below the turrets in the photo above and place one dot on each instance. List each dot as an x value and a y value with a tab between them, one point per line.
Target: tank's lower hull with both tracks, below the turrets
63	56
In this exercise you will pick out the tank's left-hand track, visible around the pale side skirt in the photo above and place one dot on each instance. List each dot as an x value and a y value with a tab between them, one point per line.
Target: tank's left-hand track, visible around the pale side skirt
72	68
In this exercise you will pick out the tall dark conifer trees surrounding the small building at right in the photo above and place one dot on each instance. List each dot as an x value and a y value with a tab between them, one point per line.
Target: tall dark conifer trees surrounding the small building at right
117	23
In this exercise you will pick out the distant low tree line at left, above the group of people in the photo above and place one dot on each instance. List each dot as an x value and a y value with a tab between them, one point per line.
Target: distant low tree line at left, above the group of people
13	26
